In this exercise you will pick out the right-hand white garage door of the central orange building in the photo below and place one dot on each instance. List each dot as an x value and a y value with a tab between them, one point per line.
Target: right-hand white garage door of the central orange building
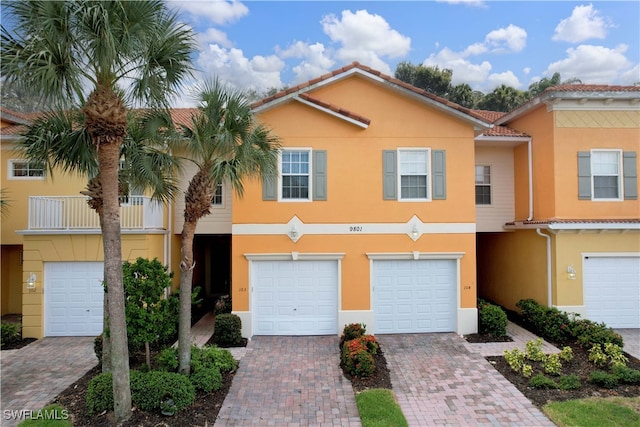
414	296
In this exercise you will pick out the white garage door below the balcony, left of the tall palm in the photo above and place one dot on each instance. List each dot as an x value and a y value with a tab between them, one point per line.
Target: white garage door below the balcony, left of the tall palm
73	298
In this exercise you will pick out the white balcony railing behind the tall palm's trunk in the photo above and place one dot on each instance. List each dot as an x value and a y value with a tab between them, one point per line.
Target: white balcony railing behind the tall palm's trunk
73	213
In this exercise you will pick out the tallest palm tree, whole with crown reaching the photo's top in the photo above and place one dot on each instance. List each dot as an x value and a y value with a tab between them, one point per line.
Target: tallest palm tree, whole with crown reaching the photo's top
118	52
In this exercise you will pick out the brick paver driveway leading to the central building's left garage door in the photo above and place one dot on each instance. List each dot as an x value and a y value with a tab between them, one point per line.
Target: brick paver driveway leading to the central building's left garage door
290	381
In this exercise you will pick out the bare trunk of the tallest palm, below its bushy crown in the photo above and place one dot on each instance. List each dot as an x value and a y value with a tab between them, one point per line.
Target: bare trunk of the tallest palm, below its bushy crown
109	160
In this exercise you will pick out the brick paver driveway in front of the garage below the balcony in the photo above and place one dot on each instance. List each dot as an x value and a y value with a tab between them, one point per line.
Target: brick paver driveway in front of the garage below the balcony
33	375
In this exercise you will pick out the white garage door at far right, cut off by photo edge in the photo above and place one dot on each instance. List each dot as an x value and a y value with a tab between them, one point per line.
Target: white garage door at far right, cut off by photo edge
612	290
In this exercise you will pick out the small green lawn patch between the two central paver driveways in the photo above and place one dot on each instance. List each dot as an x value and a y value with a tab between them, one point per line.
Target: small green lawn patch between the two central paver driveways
378	408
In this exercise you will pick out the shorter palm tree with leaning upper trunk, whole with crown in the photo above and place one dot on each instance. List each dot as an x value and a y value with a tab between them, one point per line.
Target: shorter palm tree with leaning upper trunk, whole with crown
227	144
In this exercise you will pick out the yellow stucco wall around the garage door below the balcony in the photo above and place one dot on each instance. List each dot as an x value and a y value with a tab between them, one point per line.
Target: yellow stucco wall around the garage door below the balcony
39	249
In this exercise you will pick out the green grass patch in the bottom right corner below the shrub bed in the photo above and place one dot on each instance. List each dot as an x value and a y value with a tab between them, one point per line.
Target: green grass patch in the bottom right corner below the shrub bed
595	412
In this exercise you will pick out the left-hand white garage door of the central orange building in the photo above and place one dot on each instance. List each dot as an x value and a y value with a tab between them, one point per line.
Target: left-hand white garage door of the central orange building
295	297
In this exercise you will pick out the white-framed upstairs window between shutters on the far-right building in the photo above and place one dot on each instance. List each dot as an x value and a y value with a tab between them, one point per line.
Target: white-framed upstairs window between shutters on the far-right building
606	174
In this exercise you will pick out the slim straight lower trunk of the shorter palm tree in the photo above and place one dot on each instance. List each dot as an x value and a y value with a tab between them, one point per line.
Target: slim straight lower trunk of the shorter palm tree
186	277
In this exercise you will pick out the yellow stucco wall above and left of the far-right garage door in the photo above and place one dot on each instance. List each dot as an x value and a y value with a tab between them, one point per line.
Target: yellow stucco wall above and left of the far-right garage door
569	249
